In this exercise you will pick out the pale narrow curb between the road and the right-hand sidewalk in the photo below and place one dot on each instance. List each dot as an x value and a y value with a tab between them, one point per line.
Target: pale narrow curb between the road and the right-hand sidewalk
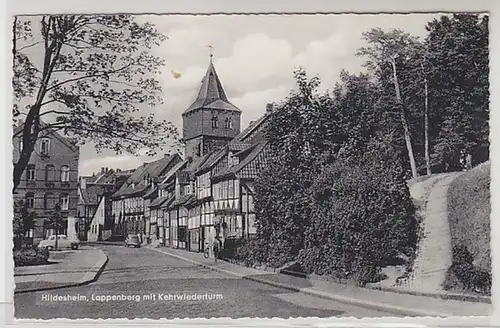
346	300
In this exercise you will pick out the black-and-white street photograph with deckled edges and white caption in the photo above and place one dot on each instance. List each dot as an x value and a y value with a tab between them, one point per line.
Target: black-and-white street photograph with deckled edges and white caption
250	166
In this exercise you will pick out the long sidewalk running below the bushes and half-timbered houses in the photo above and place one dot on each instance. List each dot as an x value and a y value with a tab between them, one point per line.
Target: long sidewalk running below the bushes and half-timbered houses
403	304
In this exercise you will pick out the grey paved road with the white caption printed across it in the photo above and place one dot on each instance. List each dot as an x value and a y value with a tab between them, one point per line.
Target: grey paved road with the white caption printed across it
137	273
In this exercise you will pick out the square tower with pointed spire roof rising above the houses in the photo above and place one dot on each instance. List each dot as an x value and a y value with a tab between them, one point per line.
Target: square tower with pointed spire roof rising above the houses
211	121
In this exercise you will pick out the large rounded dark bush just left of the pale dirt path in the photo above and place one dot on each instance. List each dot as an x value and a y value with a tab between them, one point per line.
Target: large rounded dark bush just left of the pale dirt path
362	218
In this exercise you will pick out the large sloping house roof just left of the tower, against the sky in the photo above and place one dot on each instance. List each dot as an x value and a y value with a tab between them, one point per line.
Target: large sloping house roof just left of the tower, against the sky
135	183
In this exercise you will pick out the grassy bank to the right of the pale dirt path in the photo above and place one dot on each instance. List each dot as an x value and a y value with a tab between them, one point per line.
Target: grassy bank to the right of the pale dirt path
469	213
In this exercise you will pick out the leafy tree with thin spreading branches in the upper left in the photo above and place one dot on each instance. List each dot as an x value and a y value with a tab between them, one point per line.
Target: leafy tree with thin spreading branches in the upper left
86	75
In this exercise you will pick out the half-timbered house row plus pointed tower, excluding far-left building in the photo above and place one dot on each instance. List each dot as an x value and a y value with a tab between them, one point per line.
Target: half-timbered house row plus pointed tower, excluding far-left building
184	201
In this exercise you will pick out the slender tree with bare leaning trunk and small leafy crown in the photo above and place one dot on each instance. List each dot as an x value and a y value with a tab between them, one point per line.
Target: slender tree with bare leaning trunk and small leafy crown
392	49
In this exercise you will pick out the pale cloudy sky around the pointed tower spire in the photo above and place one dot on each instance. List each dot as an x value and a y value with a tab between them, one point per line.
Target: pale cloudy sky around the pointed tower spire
254	57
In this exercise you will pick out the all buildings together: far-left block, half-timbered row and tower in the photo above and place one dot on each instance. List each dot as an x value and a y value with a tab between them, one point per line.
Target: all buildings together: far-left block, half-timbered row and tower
178	201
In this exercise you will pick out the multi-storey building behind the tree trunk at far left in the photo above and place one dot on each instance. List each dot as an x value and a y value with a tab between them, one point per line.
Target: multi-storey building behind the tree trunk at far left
50	178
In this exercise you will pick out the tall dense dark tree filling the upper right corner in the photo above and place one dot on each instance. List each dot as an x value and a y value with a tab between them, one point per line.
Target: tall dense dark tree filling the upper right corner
458	77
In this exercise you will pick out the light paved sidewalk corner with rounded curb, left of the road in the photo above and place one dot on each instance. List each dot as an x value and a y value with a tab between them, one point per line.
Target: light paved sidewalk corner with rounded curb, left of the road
70	268
